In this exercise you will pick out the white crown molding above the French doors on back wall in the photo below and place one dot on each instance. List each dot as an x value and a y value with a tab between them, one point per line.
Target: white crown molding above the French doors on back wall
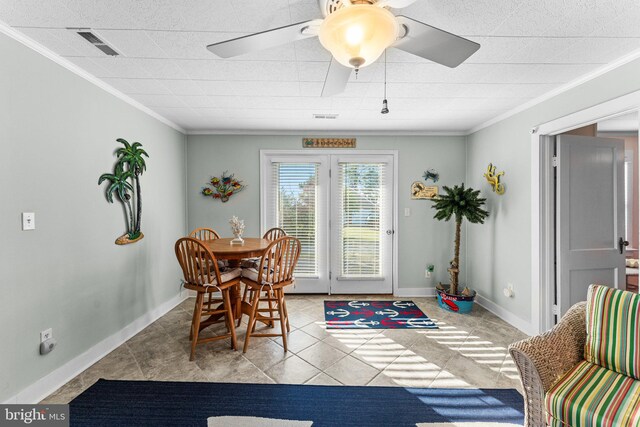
341	133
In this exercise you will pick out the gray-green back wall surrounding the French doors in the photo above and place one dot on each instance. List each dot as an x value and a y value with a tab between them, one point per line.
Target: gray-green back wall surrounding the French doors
421	239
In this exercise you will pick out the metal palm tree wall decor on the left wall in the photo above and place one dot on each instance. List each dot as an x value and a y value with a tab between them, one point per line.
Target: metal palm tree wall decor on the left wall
127	170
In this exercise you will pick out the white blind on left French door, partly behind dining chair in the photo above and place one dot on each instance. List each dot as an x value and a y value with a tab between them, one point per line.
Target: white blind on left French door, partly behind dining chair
296	209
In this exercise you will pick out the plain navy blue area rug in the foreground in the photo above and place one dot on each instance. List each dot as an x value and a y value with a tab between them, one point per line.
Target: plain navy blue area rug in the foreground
129	403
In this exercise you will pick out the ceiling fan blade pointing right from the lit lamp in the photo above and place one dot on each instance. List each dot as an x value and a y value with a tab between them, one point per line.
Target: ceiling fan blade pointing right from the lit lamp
434	44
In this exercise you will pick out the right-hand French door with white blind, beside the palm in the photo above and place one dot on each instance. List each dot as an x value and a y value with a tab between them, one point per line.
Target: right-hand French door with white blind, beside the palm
361	224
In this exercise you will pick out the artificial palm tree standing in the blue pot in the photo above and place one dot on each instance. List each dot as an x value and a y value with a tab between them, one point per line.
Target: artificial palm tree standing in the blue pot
460	203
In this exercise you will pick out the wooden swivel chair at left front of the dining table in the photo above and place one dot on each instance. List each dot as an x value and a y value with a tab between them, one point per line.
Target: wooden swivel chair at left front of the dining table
201	274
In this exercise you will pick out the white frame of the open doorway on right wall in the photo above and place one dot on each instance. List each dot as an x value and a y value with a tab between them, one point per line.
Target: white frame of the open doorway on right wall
543	196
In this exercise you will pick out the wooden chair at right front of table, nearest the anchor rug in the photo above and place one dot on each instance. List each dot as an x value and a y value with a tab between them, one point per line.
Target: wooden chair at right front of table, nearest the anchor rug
266	285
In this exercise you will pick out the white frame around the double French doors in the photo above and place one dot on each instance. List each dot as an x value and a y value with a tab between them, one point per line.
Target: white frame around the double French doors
318	151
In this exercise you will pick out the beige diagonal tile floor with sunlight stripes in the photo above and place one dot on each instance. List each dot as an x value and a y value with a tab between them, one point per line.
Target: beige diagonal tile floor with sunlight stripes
467	351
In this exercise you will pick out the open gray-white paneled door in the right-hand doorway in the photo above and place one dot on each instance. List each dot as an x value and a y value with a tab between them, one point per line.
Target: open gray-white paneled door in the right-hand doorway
589	216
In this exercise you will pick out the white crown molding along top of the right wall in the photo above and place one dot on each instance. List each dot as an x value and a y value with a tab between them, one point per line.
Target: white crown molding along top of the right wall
559	90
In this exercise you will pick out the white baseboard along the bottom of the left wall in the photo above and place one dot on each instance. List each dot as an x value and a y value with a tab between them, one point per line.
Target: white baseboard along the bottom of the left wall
42	388
